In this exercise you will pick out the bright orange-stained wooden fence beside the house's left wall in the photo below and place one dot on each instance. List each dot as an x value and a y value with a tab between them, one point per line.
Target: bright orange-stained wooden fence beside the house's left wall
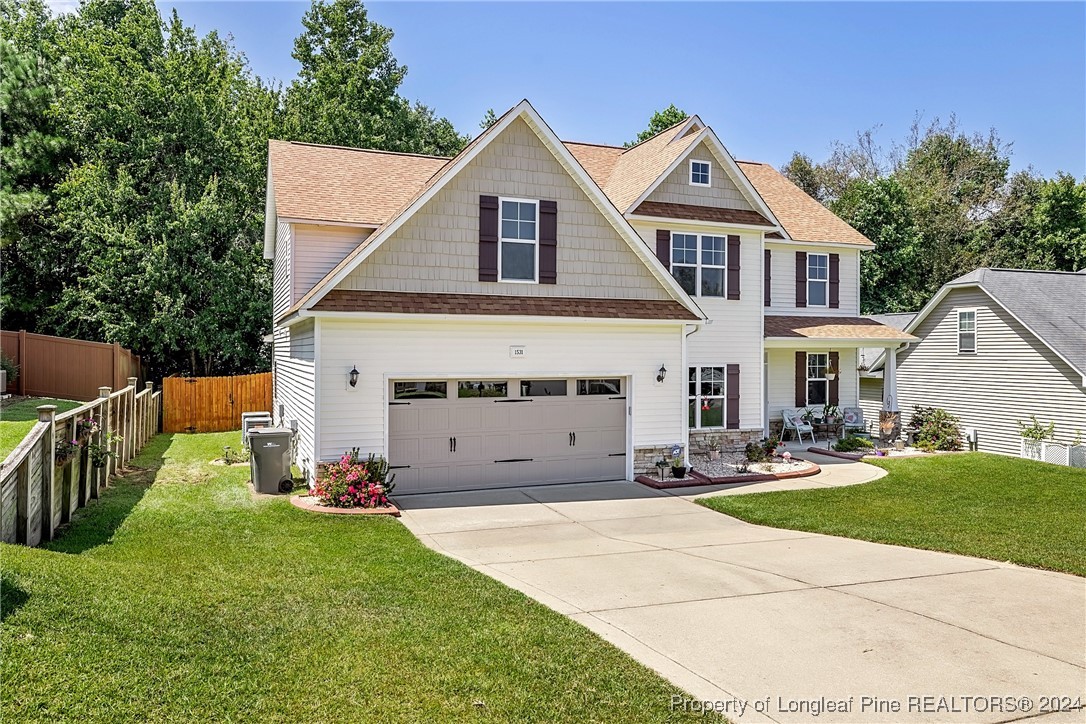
213	404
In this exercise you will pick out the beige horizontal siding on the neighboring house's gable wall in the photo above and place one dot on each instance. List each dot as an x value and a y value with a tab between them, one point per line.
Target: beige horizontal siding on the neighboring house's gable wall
1012	376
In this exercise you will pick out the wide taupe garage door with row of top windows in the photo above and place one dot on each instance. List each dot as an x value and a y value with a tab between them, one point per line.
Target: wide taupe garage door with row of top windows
464	435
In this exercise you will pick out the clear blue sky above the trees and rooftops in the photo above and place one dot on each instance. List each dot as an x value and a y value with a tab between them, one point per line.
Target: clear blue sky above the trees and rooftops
771	79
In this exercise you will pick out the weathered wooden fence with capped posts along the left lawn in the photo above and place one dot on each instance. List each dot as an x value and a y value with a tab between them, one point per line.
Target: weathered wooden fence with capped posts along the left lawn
47	479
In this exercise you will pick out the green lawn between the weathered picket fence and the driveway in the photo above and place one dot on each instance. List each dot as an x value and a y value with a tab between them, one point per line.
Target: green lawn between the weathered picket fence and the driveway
179	598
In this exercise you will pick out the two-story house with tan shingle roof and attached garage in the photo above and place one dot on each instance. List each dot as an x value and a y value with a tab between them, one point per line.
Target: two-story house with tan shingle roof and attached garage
536	312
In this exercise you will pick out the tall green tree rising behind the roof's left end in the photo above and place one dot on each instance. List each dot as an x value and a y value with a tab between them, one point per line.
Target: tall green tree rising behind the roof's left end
347	90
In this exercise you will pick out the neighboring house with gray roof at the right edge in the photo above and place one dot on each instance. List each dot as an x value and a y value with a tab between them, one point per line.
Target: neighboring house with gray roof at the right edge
996	347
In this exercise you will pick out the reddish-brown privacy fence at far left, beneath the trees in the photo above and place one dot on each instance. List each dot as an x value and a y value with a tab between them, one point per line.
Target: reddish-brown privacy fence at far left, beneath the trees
64	369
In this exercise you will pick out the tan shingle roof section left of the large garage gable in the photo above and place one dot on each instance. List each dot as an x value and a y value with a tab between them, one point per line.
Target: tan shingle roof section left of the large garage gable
351	186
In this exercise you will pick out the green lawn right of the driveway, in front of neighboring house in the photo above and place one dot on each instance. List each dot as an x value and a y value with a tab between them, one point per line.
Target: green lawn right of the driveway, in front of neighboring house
976	504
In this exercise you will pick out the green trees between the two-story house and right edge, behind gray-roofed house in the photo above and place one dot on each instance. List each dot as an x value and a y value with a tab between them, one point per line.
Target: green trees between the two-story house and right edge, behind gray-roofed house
942	205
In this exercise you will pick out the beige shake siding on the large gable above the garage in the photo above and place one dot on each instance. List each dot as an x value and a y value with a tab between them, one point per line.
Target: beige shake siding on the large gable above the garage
438	249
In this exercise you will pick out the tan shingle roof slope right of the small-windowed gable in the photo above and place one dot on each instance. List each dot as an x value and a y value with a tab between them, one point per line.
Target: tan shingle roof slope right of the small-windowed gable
804	219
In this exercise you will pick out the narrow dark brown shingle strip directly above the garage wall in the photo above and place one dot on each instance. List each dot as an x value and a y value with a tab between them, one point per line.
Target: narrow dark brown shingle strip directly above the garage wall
342	300
